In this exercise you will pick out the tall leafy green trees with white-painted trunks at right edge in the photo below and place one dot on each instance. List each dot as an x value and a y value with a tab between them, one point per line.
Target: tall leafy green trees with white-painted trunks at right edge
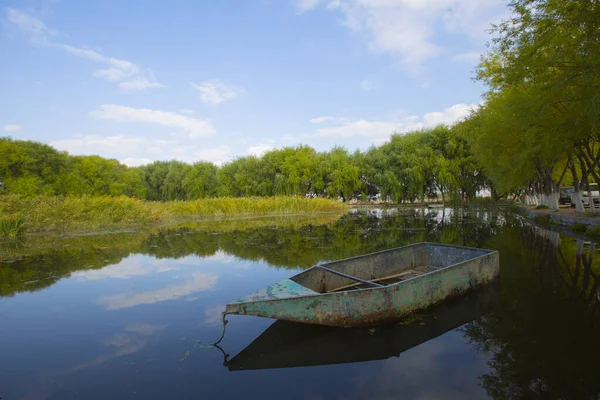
538	127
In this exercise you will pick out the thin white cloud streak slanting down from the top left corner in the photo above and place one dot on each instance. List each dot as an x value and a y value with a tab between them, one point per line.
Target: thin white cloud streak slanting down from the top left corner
118	70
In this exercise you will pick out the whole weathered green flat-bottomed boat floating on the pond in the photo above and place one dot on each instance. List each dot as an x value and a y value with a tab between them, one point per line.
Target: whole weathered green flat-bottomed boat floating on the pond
373	288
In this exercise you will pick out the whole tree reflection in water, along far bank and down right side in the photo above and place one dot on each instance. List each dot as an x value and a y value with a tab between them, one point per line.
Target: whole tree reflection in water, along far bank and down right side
542	342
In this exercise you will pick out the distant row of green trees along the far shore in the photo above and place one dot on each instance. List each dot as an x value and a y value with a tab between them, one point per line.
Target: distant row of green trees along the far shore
410	167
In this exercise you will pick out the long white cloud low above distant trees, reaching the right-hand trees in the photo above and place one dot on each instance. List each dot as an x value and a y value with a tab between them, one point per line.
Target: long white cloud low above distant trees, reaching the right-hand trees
380	131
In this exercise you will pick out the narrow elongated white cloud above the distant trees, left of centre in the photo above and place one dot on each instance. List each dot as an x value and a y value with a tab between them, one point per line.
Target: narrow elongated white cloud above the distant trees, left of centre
192	127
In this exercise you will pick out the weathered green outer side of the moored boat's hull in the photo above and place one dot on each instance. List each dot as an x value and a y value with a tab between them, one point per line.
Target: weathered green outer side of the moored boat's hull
381	304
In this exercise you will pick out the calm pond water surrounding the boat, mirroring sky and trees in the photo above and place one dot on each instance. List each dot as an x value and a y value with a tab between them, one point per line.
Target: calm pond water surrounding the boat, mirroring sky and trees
119	316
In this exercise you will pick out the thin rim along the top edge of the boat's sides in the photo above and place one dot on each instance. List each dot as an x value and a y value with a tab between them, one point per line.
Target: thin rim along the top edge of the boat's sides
343	293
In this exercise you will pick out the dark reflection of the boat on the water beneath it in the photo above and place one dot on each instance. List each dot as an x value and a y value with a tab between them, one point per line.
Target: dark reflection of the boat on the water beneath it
290	344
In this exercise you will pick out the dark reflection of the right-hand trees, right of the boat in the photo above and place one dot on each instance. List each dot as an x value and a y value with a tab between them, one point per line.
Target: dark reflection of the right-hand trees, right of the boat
543	342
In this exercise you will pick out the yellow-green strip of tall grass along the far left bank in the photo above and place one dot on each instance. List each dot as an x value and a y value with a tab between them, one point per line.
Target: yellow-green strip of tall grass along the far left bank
60	214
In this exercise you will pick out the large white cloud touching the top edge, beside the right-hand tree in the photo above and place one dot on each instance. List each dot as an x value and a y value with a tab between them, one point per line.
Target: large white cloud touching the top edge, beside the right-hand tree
410	29
